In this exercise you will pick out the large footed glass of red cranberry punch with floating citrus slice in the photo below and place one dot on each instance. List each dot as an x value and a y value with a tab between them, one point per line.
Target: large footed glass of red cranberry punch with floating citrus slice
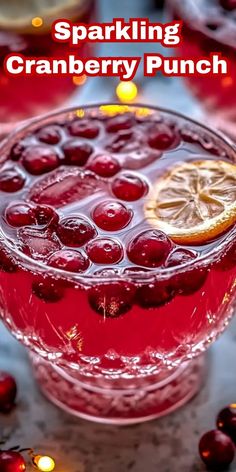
117	255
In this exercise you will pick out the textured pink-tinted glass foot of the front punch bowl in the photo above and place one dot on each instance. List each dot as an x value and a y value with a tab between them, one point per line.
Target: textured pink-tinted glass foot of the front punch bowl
119	405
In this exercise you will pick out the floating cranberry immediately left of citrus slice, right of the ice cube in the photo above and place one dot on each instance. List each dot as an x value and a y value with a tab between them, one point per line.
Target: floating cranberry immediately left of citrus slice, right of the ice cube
129	187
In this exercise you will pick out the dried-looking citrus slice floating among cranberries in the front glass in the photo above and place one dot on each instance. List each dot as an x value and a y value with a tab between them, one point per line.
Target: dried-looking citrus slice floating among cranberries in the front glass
195	201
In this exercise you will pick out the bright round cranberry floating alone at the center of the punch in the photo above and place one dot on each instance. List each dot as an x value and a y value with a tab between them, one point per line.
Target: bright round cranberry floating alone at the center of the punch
111	216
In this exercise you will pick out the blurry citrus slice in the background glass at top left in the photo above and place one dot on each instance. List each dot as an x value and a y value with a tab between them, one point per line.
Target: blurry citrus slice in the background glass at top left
17	15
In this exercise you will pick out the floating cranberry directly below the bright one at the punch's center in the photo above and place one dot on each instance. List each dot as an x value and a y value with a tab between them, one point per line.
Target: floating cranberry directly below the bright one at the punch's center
104	251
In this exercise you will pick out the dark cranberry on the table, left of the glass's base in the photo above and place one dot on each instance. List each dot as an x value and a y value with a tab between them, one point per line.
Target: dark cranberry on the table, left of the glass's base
8	391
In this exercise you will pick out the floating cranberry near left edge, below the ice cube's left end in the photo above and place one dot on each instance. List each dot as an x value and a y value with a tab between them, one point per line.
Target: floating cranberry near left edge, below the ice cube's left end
20	214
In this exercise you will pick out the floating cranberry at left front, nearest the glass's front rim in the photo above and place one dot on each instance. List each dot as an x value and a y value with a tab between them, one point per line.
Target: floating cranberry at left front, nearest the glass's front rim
70	260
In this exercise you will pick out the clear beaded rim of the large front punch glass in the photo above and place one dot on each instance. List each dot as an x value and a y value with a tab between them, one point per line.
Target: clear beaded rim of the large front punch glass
143	273
